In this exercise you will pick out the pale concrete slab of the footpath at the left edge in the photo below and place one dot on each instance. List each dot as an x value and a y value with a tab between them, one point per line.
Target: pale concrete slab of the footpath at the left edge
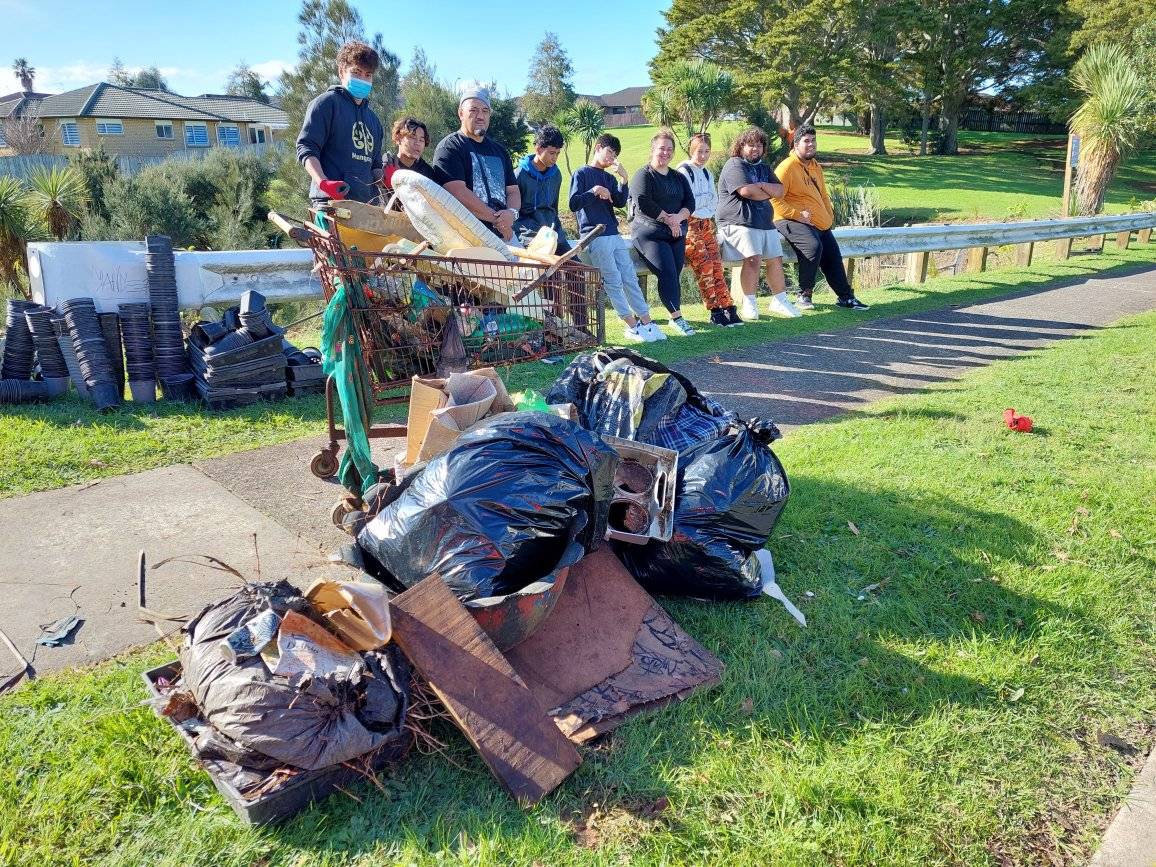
81	559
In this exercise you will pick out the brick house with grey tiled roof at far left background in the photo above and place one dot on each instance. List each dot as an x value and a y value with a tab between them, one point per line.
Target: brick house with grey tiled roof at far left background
135	122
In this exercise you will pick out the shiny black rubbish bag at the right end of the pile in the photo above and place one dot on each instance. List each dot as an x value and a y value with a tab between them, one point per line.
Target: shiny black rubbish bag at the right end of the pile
730	494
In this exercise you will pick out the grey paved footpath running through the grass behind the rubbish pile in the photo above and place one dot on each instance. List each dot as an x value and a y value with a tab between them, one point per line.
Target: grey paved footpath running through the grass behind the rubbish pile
264	514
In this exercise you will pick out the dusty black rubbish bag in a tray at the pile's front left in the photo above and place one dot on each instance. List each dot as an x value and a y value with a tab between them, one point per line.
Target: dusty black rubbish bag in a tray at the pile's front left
261	721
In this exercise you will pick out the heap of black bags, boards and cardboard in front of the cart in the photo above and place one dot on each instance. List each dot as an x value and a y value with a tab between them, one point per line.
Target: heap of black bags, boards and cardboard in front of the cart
503	572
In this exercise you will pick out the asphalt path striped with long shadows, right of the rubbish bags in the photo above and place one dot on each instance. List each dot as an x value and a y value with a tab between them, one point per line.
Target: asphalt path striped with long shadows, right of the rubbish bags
807	380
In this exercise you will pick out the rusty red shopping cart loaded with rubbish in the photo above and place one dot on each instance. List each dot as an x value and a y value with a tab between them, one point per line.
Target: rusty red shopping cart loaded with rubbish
421	315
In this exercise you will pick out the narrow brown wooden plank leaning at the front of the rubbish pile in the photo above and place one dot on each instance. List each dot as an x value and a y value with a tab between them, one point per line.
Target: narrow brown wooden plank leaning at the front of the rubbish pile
484	694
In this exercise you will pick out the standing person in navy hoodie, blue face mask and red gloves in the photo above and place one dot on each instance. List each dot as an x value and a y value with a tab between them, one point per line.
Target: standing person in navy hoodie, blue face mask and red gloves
342	142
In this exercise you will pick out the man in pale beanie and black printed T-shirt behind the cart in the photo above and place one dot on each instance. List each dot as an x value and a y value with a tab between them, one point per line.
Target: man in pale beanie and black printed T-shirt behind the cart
477	171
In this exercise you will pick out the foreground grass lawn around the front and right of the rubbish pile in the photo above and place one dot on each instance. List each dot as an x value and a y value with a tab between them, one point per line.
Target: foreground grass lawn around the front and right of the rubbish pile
967	650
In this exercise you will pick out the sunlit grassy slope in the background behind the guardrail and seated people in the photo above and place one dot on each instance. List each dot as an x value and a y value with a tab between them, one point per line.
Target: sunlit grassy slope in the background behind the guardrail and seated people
1001	176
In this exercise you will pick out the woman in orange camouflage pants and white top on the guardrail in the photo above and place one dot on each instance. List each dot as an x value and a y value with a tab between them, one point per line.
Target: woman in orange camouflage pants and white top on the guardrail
702	247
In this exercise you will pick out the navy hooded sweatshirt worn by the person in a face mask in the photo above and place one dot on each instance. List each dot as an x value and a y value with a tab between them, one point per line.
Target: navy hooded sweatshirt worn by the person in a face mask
347	139
